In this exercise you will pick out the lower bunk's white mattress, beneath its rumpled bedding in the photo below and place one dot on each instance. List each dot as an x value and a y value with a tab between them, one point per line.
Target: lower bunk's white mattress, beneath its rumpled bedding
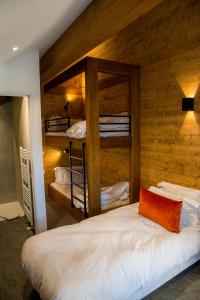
65	190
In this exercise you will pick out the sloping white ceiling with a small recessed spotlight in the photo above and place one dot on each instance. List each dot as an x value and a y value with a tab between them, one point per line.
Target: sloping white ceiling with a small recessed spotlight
35	24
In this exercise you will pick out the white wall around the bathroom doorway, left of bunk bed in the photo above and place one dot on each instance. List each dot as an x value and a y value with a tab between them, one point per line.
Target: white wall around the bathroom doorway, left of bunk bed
20	77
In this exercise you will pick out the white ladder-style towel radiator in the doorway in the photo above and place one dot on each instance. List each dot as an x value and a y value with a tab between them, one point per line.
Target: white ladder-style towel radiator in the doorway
27	184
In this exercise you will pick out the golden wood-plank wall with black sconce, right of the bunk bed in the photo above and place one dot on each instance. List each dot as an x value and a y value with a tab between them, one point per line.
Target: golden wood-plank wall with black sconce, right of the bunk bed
166	44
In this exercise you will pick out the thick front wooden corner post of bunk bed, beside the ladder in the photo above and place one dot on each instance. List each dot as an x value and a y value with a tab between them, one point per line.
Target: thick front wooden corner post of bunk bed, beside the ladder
93	140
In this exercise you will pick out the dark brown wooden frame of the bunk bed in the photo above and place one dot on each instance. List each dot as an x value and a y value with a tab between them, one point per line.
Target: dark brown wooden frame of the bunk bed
121	72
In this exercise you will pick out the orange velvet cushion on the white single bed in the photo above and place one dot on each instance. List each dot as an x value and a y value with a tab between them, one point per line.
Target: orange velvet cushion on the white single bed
164	211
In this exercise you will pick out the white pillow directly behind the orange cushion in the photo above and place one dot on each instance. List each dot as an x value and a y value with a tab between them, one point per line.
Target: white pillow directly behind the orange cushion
189	212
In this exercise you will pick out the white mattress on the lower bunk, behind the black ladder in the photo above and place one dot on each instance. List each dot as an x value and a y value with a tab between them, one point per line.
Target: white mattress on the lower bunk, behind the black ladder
65	190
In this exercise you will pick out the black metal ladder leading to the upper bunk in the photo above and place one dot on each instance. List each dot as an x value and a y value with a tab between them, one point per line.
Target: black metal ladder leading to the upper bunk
83	174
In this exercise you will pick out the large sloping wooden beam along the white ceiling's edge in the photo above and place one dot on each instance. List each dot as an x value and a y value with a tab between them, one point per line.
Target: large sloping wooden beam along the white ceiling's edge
100	21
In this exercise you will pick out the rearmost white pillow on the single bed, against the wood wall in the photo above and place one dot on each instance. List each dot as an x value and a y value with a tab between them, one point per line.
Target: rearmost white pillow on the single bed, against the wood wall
180	190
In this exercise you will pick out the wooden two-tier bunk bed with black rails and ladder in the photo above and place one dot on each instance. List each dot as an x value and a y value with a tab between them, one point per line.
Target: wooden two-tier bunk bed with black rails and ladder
103	130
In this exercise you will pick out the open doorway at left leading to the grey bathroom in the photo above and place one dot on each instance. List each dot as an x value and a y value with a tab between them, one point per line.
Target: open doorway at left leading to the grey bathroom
15	134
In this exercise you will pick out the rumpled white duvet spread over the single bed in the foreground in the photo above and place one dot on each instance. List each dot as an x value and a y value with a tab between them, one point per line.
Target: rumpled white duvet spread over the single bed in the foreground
106	257
